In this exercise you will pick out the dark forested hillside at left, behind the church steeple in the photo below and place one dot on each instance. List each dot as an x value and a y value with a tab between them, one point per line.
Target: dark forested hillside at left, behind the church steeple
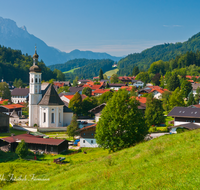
13	64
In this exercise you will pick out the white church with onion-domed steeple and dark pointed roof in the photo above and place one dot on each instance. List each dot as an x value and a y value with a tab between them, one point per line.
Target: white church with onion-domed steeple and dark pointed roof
46	109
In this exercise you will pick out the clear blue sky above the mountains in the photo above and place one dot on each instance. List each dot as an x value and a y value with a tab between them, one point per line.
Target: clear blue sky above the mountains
117	27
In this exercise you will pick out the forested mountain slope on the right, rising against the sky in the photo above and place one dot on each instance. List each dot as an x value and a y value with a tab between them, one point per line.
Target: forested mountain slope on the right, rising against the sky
163	52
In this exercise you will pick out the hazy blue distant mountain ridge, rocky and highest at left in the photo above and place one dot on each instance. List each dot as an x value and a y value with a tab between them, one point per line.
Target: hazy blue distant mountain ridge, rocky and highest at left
18	38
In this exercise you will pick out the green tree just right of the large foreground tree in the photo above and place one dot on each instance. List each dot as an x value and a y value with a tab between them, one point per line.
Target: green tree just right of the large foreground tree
154	112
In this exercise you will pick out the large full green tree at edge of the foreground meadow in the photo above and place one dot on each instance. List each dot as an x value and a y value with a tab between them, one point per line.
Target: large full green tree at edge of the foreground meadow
121	124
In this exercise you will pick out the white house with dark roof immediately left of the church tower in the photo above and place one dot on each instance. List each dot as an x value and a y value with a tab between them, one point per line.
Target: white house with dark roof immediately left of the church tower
20	95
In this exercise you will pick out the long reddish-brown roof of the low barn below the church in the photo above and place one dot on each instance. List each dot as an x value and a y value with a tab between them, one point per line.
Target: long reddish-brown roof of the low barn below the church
33	140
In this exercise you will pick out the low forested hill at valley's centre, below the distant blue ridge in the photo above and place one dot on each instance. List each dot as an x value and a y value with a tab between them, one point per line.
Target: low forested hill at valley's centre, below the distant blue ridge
89	68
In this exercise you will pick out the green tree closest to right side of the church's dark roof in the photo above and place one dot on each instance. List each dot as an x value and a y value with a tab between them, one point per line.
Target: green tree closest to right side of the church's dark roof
76	103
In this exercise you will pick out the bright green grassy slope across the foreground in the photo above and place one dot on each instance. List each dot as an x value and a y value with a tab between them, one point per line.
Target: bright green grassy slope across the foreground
168	162
